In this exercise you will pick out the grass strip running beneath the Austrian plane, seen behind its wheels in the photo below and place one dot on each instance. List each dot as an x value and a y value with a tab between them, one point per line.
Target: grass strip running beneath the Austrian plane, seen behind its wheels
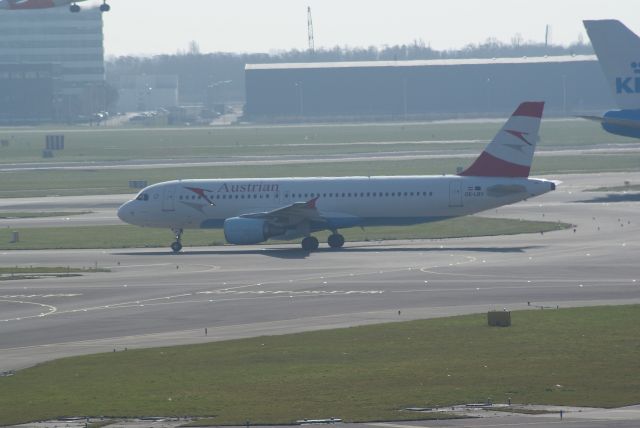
127	236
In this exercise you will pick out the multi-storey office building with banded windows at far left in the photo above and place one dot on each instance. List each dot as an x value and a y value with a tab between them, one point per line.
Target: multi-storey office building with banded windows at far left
51	65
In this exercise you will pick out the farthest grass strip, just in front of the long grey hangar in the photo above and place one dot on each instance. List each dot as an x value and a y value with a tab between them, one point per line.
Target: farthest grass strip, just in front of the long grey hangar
110	144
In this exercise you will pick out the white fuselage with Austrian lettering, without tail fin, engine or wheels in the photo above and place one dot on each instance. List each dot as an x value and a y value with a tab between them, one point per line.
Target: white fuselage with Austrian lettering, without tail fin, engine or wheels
342	202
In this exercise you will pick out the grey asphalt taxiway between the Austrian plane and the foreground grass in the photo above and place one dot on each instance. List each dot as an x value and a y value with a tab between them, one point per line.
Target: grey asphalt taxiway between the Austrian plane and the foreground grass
154	298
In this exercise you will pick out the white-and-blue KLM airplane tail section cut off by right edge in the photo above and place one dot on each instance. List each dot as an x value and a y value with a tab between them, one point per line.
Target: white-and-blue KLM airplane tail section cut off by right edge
618	51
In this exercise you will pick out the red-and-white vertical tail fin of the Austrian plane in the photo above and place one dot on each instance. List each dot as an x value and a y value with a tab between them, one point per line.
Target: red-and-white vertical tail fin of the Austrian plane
510	153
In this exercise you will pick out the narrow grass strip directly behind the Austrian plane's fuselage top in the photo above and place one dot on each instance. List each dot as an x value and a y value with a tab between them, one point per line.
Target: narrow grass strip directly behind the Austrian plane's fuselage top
100	181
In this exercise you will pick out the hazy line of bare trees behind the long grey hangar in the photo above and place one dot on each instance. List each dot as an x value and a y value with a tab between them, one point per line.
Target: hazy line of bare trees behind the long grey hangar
197	71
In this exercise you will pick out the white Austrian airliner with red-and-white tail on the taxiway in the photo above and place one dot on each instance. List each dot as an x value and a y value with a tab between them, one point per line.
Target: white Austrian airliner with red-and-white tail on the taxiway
253	210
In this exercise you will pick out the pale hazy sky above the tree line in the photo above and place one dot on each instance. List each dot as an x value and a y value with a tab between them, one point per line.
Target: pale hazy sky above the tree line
162	26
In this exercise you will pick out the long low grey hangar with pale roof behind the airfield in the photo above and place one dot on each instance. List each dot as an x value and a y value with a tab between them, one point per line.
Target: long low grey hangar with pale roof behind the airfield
430	89
